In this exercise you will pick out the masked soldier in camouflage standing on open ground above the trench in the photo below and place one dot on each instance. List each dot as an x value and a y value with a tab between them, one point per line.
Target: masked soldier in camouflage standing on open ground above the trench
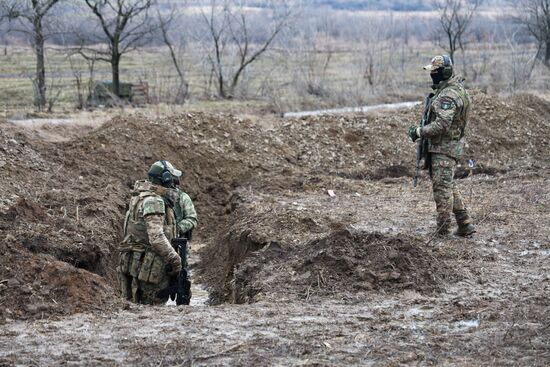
444	130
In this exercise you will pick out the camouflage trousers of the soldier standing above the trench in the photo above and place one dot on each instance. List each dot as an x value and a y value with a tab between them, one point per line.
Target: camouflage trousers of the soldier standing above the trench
446	195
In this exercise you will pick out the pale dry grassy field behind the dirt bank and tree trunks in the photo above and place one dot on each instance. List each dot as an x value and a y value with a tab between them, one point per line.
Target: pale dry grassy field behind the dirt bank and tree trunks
277	83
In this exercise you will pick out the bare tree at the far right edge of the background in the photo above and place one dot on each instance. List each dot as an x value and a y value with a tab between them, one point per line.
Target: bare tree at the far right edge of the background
535	14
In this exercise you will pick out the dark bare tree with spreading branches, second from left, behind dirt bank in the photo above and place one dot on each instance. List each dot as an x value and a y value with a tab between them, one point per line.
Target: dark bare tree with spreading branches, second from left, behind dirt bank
125	25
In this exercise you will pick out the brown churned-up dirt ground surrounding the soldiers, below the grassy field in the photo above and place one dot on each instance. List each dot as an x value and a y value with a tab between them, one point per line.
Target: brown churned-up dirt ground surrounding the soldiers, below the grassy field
318	251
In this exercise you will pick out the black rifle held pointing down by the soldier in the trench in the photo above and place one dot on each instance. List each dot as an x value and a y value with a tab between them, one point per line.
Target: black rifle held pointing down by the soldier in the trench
180	286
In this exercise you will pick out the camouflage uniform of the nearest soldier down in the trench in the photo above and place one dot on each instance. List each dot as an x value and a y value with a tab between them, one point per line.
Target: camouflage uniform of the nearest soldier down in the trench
145	251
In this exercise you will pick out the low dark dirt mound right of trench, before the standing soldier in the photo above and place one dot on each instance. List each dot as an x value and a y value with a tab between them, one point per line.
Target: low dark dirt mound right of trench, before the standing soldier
339	265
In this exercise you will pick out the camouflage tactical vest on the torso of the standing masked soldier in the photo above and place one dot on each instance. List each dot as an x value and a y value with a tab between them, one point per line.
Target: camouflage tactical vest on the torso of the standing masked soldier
451	143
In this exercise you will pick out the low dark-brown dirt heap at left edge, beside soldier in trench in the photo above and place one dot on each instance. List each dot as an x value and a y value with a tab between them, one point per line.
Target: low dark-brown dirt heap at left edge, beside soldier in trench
35	285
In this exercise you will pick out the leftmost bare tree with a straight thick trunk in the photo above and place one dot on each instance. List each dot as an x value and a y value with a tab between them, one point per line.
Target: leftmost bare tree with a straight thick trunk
30	15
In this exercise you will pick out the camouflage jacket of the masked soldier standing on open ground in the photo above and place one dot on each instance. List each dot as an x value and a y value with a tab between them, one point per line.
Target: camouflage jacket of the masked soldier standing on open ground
448	117
